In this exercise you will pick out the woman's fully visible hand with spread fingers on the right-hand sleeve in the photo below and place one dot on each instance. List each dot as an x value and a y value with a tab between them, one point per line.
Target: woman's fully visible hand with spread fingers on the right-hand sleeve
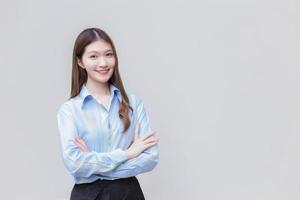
140	144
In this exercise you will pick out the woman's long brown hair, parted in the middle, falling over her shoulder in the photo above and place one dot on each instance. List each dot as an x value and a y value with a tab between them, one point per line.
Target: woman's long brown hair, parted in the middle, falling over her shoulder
79	75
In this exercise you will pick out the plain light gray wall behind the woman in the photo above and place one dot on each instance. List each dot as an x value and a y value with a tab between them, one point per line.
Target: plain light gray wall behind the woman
220	80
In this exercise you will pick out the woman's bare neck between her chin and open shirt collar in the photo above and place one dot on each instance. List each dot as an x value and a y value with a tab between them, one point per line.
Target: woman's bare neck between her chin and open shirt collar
98	89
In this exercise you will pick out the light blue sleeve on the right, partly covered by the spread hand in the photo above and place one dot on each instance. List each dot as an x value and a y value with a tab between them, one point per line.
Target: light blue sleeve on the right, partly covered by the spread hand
147	160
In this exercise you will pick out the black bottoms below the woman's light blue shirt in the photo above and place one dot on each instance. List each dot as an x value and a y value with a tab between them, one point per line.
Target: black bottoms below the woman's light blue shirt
119	189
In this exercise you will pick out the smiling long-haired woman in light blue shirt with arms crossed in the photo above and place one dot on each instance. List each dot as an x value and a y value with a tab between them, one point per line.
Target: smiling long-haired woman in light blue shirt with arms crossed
106	139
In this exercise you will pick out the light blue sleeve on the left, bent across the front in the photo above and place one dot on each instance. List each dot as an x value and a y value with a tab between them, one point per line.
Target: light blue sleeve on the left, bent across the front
78	163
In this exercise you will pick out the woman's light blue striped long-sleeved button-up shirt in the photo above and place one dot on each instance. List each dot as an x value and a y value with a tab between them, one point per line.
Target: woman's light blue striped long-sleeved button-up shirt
101	129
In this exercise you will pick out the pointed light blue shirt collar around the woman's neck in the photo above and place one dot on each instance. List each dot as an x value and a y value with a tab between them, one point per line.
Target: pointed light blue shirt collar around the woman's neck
85	94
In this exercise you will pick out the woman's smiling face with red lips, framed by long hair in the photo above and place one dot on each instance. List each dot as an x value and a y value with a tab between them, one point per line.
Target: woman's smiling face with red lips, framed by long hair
98	60
